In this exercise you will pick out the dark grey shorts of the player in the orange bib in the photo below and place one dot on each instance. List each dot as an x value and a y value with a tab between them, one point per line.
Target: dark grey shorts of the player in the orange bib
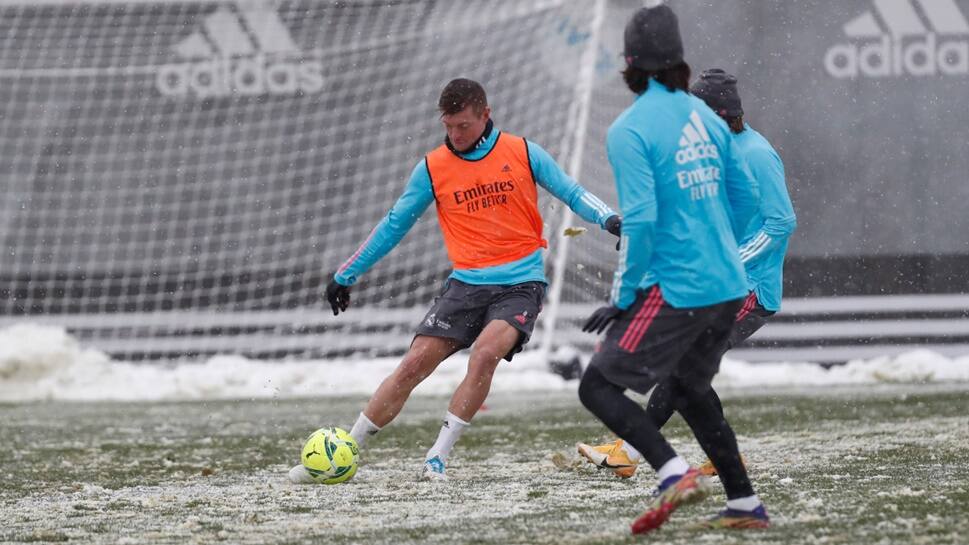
463	310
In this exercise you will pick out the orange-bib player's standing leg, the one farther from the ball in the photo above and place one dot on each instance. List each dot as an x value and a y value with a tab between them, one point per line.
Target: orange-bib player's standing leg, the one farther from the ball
495	341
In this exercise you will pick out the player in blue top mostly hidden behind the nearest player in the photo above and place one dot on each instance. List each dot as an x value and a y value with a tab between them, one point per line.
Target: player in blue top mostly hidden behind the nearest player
762	252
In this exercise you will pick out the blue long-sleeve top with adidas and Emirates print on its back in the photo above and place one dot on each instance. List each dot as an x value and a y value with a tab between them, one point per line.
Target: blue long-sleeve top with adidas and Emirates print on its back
686	197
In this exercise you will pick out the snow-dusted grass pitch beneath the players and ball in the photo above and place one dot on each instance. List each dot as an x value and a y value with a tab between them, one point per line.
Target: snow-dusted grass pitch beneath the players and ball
865	464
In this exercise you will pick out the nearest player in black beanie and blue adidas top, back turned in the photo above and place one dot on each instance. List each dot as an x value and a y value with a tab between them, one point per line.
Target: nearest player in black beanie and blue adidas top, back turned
685	193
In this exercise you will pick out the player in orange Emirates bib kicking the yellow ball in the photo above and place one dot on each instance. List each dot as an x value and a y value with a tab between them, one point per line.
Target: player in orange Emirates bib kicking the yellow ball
484	184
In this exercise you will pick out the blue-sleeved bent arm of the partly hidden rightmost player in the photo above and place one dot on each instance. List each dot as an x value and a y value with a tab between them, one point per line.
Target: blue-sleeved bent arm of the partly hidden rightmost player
776	209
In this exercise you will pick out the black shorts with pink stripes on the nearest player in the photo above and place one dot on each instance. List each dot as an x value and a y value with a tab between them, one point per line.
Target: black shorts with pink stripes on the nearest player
651	341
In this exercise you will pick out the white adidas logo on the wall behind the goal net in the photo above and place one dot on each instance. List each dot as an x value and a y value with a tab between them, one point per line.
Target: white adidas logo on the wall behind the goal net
246	52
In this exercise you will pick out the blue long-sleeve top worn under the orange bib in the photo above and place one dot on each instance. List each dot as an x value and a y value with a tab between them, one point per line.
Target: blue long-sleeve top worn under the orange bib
419	195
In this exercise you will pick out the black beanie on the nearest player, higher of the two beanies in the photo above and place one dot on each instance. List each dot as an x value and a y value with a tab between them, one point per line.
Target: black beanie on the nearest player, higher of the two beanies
652	39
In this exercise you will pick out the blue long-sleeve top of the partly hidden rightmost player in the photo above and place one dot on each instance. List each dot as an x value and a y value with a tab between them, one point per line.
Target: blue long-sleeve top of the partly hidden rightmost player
764	245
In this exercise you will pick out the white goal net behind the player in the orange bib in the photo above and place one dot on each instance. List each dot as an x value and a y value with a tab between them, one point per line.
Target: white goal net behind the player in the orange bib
182	177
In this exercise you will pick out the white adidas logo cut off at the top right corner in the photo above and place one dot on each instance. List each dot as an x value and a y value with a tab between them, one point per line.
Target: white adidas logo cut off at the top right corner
901	40
